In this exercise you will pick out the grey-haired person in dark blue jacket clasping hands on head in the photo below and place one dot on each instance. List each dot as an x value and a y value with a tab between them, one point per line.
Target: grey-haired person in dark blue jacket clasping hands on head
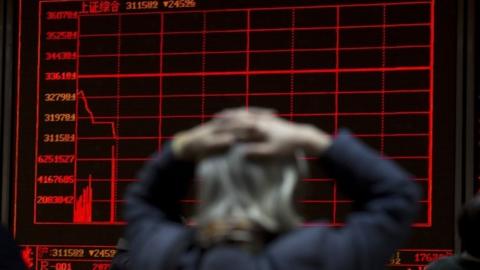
248	163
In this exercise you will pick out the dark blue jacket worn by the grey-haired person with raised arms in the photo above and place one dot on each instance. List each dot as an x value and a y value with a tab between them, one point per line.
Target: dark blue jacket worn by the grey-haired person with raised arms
385	205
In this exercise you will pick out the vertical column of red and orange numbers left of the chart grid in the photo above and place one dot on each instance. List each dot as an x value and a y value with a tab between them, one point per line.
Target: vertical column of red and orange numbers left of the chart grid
56	96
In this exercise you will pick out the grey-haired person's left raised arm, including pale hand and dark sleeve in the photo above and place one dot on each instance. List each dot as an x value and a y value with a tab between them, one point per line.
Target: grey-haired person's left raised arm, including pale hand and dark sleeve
154	232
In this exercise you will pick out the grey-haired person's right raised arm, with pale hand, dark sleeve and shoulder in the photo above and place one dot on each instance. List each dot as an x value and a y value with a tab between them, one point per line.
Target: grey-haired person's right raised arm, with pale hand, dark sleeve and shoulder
385	201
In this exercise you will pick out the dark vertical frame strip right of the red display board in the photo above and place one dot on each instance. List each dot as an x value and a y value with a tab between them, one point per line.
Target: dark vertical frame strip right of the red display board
467	108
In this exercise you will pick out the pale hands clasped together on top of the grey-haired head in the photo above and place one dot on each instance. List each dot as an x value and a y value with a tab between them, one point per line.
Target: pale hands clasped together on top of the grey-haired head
266	134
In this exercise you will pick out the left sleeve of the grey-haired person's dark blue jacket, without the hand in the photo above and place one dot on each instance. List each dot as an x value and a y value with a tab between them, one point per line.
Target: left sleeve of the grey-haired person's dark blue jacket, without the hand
152	210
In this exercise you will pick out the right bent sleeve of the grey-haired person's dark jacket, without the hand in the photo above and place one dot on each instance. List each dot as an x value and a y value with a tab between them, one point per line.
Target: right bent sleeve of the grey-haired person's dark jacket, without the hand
385	203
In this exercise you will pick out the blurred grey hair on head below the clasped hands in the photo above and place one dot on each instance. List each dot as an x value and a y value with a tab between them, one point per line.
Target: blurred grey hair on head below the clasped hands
236	187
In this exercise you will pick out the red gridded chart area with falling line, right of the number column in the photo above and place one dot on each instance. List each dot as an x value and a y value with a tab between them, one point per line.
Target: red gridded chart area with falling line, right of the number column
131	98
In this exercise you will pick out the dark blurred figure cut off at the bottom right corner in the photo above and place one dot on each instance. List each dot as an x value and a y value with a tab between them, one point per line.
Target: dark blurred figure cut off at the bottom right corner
469	231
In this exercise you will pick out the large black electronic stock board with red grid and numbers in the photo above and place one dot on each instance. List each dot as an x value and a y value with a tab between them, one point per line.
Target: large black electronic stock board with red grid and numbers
103	84
